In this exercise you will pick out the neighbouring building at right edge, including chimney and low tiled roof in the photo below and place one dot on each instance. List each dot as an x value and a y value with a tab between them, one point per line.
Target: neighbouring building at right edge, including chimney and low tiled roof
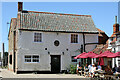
112	44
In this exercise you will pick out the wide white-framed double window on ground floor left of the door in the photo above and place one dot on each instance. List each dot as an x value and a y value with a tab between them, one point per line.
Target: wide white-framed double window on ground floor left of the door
31	58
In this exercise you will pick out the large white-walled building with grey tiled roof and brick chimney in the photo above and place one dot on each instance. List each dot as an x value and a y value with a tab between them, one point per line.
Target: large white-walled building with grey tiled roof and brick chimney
44	41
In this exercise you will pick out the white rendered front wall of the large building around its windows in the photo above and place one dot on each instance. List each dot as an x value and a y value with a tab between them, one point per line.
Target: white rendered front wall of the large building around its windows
26	45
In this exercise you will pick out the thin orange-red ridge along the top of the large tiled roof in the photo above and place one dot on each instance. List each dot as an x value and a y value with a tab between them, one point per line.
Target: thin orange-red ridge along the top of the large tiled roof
59	13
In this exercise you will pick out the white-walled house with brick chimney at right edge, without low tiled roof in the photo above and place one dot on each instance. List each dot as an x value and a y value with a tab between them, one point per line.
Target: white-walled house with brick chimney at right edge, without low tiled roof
114	43
